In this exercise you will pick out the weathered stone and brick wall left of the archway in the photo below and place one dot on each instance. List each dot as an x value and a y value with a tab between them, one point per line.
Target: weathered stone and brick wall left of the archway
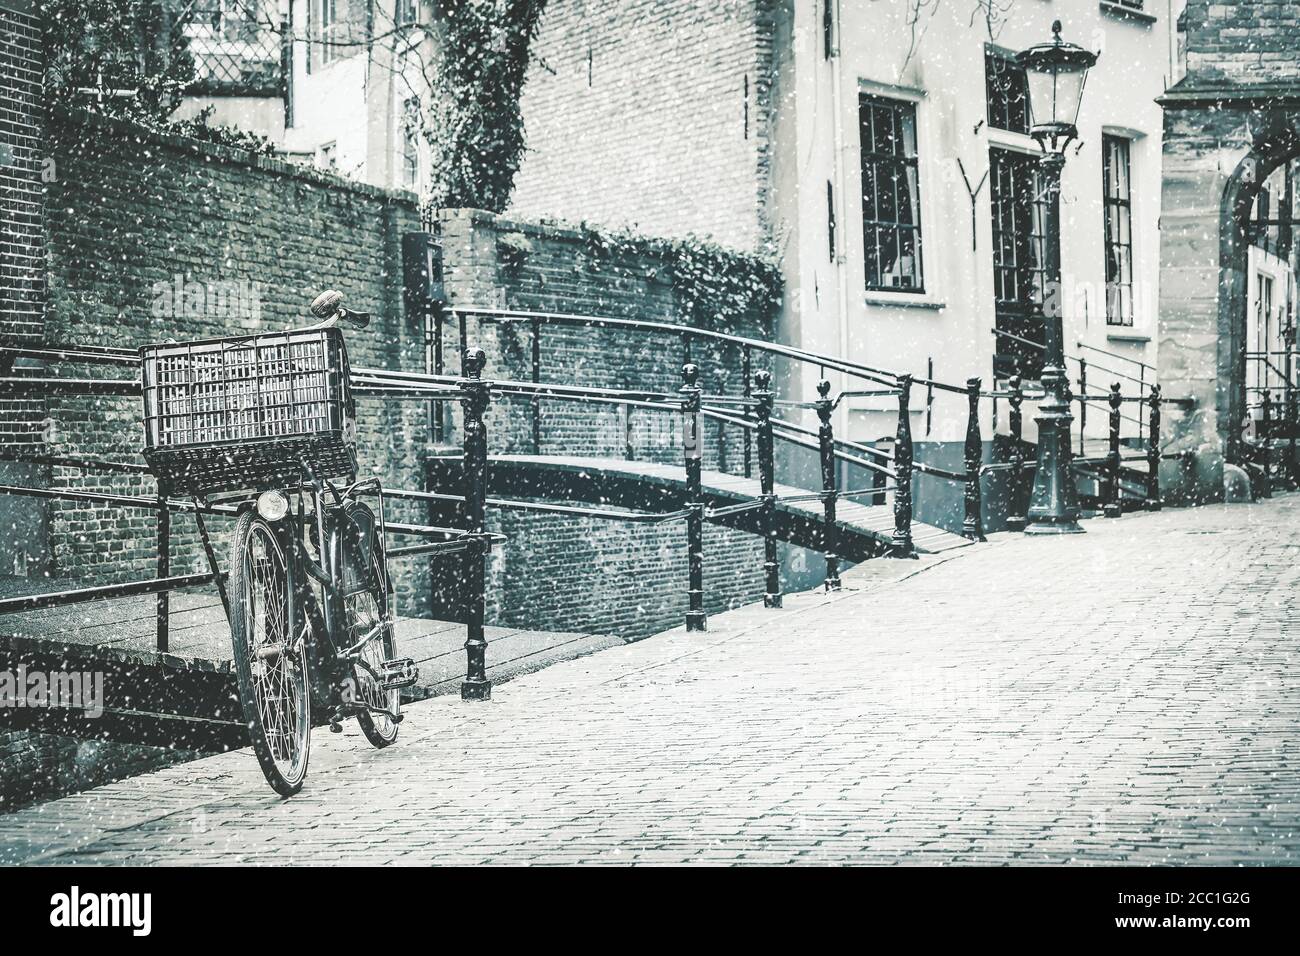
1229	123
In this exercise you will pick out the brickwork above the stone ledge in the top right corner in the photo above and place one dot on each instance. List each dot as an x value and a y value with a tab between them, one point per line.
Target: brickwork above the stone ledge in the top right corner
1243	42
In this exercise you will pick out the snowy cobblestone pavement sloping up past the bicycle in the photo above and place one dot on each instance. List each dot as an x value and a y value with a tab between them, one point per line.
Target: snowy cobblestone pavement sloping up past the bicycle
1123	697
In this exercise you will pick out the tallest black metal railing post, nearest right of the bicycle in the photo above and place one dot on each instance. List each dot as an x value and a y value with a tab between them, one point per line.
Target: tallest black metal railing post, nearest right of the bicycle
476	685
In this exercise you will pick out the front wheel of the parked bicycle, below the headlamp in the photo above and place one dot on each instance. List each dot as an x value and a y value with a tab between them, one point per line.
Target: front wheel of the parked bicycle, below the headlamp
271	663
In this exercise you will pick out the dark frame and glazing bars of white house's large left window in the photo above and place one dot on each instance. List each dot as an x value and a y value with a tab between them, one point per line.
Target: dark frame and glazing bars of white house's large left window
881	165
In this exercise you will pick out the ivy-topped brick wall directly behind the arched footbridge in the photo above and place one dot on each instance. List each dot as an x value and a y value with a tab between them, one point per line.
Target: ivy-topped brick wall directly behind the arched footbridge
614	578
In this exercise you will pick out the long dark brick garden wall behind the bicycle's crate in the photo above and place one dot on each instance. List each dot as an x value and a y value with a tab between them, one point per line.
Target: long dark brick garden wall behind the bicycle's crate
129	215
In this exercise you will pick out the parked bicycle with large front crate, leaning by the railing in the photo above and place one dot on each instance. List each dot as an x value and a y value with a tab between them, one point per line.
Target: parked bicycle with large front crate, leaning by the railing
268	422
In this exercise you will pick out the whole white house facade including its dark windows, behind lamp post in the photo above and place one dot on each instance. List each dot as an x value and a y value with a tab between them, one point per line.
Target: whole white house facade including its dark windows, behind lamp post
907	198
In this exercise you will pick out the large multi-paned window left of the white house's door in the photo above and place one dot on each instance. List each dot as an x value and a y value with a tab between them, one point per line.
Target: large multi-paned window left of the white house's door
891	200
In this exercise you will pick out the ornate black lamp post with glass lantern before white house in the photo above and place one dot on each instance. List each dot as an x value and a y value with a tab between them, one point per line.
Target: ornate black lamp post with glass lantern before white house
1056	75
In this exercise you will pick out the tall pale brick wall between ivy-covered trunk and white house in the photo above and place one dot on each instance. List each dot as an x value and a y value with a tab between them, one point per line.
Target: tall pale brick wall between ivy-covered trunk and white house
653	114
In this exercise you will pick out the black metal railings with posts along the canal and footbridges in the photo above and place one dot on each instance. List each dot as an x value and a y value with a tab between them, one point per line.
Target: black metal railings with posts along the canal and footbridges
753	413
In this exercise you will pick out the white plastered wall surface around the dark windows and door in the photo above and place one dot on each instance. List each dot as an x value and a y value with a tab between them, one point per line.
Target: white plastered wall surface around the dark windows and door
938	64
